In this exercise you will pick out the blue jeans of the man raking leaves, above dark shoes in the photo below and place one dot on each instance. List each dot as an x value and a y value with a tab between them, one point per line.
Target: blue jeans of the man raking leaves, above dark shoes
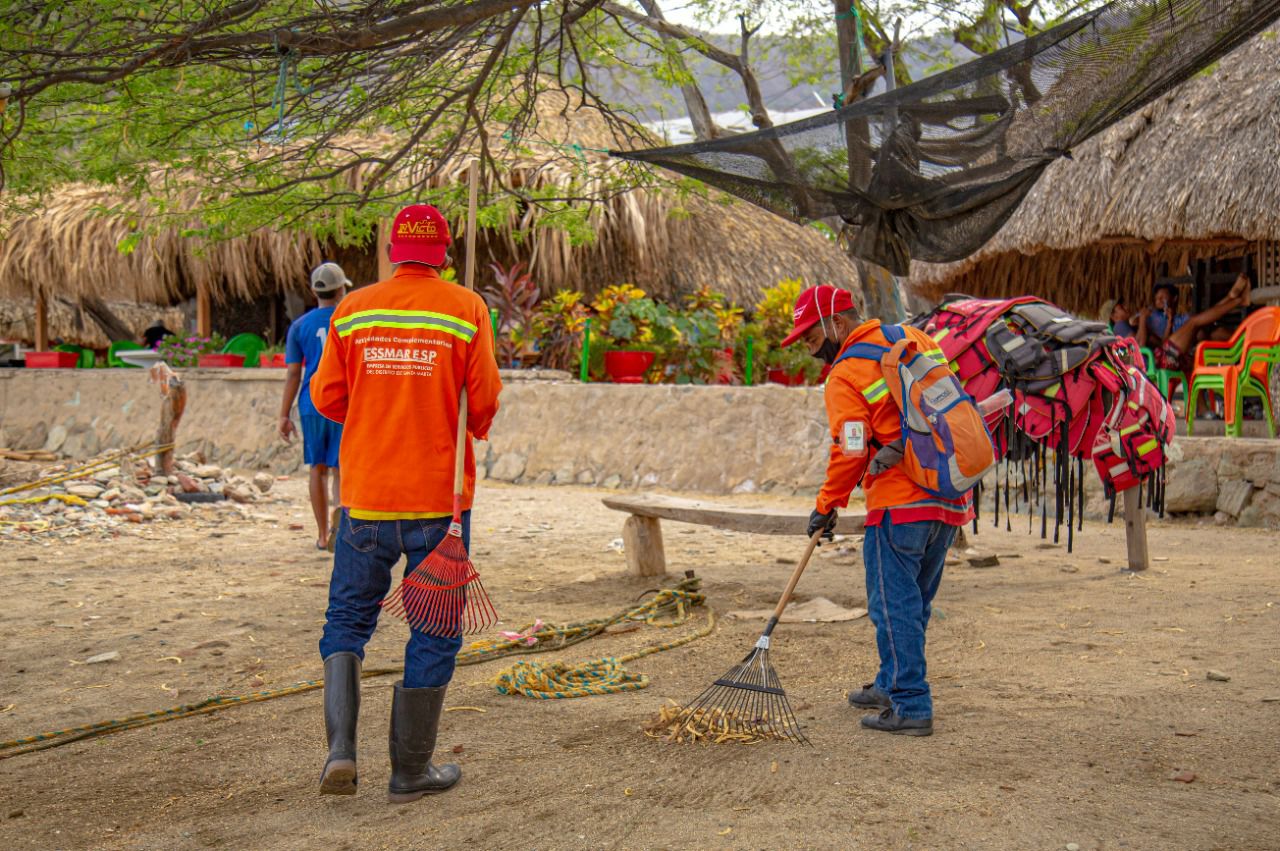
904	570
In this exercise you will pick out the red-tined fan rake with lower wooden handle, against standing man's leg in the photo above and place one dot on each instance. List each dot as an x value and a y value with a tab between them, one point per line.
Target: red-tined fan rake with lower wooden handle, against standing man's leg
444	596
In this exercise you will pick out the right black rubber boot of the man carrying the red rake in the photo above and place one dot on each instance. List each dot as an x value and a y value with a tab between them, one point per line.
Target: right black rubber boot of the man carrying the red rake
415	721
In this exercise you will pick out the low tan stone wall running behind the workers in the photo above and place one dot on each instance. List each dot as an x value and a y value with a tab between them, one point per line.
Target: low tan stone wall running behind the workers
710	440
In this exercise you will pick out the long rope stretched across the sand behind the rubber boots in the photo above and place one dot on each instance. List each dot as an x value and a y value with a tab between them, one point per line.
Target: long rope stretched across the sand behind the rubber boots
662	603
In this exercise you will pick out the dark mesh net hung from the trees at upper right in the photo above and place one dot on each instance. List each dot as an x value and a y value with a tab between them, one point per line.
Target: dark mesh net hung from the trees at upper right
934	170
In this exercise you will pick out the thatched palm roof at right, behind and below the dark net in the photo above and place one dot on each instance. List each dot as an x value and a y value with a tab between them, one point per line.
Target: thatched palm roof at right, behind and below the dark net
1192	176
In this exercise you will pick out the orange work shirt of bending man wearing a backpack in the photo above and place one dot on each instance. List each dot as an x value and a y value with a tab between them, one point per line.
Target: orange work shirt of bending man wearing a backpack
857	394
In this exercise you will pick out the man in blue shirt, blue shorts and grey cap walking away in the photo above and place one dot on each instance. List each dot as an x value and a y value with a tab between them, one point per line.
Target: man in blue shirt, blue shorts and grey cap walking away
321	437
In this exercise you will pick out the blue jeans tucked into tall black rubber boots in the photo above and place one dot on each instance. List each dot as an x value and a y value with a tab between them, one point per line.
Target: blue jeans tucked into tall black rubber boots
365	553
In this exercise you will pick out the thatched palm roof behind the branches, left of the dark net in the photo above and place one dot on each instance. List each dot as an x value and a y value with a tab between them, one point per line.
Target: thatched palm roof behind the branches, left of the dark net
647	237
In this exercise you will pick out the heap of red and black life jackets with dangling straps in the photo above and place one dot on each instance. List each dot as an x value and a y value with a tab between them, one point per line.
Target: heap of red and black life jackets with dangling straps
1080	394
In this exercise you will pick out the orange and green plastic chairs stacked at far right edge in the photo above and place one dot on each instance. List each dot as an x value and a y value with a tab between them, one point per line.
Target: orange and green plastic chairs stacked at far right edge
1238	369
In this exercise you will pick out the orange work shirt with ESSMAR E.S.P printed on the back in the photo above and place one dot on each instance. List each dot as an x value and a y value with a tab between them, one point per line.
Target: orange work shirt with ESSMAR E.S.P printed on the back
395	364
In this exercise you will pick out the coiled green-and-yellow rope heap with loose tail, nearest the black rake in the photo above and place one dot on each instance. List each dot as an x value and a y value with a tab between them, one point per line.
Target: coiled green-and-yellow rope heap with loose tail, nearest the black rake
605	676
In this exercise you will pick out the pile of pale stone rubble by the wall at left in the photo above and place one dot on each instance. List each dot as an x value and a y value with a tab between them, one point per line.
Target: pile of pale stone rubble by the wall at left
106	495
